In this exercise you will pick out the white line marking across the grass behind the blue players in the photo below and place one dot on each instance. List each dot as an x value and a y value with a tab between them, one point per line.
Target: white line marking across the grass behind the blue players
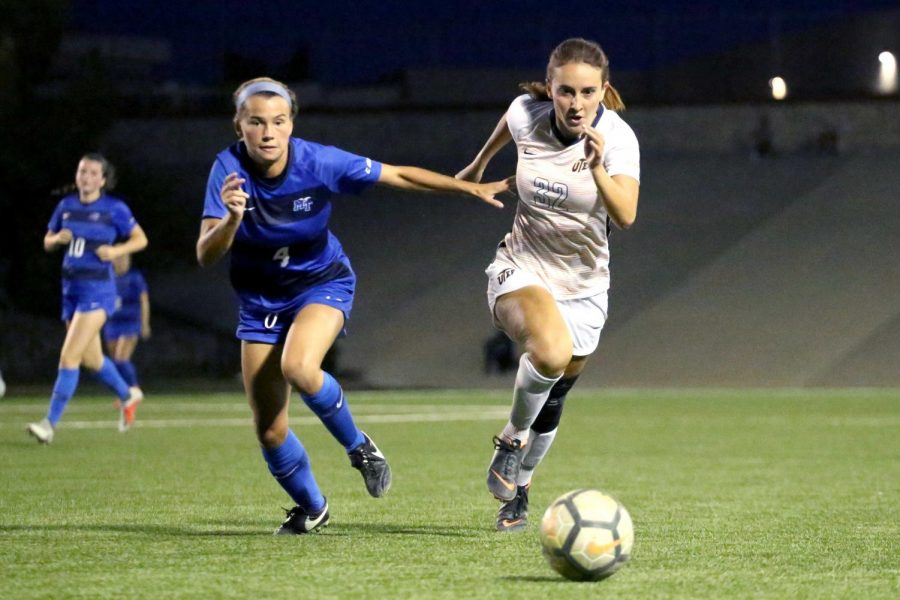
494	413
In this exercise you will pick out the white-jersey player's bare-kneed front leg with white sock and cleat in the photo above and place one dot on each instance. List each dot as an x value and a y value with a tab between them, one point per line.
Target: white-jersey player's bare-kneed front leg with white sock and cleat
529	315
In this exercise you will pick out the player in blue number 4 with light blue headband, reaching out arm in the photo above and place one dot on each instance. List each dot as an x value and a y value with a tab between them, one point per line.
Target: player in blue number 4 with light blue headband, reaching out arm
268	202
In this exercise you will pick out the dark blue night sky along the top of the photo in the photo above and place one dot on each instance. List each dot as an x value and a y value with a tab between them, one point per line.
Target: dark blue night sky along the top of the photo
354	42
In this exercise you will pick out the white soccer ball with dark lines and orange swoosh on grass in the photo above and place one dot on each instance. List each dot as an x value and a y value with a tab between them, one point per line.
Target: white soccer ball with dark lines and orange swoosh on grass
586	535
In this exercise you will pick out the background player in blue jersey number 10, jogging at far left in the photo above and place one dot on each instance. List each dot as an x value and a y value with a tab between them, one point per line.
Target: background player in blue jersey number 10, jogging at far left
94	228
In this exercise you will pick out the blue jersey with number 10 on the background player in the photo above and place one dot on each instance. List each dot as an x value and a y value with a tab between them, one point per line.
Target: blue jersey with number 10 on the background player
105	221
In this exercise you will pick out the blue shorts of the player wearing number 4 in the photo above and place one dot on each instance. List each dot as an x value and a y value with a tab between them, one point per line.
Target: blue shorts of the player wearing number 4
260	325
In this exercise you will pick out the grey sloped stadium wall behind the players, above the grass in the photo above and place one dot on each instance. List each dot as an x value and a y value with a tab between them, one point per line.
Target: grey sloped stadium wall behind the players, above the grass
717	284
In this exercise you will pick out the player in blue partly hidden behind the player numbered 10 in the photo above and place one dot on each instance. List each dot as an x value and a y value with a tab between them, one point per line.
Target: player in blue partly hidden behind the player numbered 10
127	325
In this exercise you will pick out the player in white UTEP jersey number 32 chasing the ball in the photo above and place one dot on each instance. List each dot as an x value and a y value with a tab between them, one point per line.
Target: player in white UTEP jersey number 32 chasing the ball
578	169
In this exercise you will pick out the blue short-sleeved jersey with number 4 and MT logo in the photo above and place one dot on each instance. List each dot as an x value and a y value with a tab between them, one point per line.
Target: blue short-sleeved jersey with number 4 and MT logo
283	246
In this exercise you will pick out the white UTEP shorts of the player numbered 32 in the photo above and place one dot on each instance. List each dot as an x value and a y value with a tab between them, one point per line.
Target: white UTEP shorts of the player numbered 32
585	317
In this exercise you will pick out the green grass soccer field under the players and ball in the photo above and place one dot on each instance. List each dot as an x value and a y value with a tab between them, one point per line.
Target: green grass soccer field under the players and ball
734	494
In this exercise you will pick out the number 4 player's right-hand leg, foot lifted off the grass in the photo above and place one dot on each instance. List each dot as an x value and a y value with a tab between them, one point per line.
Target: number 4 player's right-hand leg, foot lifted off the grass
312	333
